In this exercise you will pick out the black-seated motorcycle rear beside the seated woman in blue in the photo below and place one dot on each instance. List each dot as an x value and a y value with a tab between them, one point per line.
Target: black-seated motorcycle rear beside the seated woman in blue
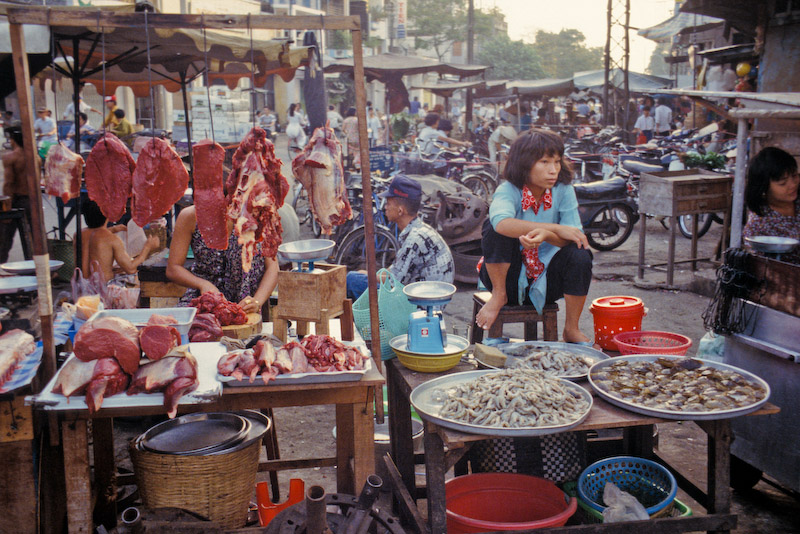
608	212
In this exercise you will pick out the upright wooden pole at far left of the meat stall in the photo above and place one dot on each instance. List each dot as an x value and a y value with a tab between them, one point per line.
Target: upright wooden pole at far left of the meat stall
40	256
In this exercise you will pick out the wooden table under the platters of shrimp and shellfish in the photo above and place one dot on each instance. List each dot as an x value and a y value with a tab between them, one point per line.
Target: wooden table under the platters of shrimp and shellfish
444	447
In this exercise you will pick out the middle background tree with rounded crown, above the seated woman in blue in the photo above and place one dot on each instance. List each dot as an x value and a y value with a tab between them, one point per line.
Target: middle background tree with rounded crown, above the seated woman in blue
509	59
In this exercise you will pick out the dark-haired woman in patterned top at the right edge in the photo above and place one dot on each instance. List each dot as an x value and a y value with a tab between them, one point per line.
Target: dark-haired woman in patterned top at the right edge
771	197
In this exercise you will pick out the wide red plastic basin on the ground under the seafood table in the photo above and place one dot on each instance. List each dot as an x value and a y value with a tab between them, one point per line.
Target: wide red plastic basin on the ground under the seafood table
486	502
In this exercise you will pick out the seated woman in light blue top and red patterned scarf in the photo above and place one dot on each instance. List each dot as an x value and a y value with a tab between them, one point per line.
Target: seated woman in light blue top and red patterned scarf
534	248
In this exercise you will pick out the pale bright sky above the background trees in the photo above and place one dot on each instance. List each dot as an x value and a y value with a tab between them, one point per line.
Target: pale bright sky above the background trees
526	17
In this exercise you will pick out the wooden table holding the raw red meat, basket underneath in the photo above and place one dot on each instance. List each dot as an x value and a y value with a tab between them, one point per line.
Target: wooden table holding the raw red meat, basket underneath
354	457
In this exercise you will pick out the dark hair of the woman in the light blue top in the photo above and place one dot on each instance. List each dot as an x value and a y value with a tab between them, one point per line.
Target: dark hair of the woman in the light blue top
531	146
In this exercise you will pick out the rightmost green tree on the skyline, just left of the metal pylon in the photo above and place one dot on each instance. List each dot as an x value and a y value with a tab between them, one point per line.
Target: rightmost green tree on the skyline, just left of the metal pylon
565	53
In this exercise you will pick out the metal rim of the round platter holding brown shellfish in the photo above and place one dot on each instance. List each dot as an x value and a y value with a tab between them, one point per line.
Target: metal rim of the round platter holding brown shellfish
675	414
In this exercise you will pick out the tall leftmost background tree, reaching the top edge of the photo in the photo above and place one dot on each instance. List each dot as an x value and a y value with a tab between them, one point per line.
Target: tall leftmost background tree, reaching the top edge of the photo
437	24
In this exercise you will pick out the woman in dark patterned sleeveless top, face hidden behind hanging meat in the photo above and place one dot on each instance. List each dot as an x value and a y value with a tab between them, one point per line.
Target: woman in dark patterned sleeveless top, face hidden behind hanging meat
218	270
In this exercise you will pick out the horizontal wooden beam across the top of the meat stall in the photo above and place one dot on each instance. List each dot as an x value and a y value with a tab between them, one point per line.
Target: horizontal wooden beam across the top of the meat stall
94	18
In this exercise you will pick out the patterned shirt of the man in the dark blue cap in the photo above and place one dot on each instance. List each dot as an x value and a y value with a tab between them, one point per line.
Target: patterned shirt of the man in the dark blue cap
423	255
